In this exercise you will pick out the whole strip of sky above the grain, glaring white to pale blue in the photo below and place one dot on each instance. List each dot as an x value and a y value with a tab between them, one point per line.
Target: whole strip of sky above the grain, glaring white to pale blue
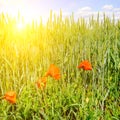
36	8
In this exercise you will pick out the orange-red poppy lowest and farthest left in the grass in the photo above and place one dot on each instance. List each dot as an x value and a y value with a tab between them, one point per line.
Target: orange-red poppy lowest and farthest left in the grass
10	96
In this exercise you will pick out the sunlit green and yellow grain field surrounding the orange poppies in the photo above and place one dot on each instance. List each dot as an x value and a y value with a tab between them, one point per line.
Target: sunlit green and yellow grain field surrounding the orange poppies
25	56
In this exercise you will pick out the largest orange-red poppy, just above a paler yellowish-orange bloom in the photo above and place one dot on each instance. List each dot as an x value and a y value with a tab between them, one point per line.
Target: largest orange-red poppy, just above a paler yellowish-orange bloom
54	72
